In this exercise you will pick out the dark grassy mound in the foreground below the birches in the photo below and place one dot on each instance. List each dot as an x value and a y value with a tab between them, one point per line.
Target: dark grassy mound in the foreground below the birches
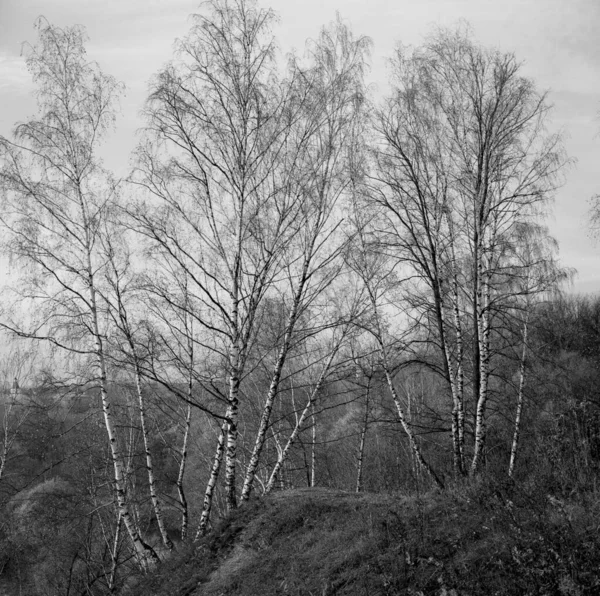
322	542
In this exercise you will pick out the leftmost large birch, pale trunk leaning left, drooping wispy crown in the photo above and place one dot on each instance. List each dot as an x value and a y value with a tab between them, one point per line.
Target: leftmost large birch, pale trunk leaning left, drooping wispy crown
55	199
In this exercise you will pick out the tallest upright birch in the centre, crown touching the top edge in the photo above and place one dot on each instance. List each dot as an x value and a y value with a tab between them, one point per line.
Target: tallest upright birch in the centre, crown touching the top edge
218	213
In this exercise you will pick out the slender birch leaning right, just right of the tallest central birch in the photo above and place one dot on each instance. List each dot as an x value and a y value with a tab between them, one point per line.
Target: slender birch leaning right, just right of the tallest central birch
332	92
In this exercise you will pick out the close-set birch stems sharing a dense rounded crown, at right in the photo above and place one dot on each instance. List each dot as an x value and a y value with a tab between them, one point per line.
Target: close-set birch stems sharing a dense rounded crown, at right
464	159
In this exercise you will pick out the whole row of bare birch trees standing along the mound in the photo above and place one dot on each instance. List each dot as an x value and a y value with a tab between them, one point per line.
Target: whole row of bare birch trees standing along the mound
282	232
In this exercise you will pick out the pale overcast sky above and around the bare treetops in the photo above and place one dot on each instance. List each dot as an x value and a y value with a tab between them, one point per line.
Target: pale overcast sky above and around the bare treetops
557	40
